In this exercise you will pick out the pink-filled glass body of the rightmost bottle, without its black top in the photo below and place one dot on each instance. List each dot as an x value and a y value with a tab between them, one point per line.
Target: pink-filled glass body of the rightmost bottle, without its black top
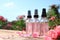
44	26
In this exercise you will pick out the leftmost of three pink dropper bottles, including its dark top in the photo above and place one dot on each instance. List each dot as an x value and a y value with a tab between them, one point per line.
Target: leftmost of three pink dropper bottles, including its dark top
29	23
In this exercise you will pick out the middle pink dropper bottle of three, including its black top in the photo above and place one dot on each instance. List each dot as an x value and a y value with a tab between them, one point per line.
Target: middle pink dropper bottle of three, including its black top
36	25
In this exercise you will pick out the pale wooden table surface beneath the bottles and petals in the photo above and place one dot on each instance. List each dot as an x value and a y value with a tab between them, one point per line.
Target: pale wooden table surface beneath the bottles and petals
12	35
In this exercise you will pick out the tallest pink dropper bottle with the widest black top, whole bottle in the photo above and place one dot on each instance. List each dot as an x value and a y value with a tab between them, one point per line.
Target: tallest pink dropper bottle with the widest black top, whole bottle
44	22
